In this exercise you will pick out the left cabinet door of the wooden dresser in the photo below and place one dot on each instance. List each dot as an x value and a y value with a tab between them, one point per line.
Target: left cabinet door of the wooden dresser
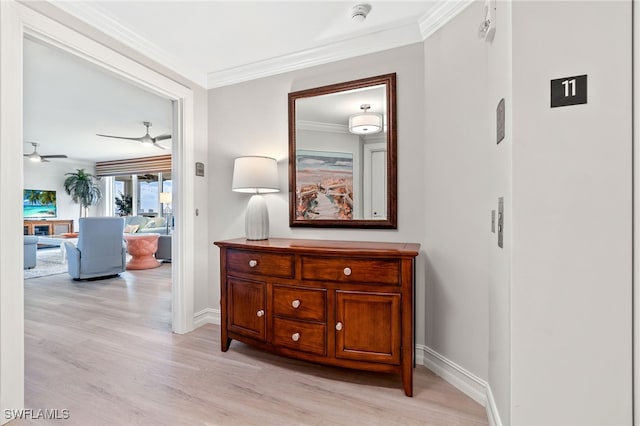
246	308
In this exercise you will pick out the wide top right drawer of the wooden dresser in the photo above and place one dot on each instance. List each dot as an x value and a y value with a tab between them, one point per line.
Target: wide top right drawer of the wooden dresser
370	271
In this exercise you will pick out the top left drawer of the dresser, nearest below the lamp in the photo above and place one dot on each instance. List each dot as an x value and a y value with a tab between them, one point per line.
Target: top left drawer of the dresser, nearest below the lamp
251	262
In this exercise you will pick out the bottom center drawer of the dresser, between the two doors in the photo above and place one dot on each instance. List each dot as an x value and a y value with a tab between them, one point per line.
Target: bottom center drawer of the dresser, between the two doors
301	336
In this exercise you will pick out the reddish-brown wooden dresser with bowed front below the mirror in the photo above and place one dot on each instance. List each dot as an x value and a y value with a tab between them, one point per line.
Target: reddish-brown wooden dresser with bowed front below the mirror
341	303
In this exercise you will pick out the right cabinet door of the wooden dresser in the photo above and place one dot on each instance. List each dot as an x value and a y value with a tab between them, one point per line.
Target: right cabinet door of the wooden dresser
368	326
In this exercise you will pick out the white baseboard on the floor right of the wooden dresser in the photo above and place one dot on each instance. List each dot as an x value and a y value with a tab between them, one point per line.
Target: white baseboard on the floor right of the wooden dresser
463	380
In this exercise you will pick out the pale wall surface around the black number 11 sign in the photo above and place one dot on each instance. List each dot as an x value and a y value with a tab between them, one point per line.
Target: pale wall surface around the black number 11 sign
571	278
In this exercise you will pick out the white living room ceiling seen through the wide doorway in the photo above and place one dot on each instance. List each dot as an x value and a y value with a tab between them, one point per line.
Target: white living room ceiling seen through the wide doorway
68	100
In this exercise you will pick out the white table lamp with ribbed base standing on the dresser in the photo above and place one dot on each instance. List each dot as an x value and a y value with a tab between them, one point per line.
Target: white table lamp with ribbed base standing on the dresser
256	175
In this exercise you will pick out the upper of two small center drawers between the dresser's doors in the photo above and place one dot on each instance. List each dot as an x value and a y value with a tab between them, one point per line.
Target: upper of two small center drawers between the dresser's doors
300	303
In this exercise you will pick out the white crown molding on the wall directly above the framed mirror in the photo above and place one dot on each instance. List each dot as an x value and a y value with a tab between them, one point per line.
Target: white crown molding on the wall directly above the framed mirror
363	45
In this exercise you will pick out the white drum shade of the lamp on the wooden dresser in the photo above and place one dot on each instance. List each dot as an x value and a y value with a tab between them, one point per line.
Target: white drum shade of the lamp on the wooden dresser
258	175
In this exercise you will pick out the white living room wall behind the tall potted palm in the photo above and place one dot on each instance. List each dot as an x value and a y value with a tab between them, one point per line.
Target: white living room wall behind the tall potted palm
51	176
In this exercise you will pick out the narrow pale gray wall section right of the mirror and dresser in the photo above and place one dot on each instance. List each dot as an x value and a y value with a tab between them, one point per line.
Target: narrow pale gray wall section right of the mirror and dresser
456	216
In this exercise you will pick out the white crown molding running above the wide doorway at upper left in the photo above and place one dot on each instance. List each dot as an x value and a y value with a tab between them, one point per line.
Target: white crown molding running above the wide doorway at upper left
101	20
